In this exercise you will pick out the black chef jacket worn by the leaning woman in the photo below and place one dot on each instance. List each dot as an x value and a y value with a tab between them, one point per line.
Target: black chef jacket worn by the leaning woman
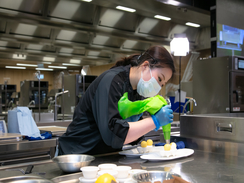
97	126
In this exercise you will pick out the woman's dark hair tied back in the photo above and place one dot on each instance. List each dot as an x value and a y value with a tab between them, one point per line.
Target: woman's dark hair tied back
157	56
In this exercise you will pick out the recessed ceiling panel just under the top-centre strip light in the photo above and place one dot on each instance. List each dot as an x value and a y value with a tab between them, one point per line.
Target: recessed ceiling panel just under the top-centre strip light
118	19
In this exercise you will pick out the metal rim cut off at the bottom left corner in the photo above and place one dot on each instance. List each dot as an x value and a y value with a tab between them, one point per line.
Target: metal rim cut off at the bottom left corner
26	179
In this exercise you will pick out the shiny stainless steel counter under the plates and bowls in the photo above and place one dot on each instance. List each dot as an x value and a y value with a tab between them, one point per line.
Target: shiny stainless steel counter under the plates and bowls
199	167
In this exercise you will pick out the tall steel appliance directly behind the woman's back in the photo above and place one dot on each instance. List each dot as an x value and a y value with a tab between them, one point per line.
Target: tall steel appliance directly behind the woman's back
76	85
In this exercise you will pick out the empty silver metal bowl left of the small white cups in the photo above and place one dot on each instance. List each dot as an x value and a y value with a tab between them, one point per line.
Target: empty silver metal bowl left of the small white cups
73	162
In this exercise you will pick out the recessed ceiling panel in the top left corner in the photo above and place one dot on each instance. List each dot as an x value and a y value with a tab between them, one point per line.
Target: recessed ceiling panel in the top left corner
28	6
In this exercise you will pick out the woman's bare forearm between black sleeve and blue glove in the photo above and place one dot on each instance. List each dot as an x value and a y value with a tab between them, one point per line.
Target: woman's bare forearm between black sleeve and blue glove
137	129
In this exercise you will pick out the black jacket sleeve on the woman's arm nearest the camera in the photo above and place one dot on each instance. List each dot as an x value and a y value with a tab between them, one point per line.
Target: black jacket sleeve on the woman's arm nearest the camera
112	127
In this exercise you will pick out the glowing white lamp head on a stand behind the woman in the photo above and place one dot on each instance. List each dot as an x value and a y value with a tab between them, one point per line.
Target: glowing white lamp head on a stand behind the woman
179	46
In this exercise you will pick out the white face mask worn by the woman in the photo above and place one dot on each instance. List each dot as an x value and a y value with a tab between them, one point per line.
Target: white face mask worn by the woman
148	88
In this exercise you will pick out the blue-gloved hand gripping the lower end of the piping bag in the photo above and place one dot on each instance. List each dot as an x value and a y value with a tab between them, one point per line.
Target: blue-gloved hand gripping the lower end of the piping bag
163	117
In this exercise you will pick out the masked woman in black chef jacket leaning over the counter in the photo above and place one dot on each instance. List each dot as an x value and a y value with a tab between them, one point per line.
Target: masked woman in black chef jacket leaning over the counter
97	125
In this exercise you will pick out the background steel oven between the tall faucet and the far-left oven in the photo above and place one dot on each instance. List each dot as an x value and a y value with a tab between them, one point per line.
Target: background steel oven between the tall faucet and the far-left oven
29	93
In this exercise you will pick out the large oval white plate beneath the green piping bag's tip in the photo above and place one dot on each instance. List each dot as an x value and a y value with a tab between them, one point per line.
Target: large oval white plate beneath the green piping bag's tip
156	156
